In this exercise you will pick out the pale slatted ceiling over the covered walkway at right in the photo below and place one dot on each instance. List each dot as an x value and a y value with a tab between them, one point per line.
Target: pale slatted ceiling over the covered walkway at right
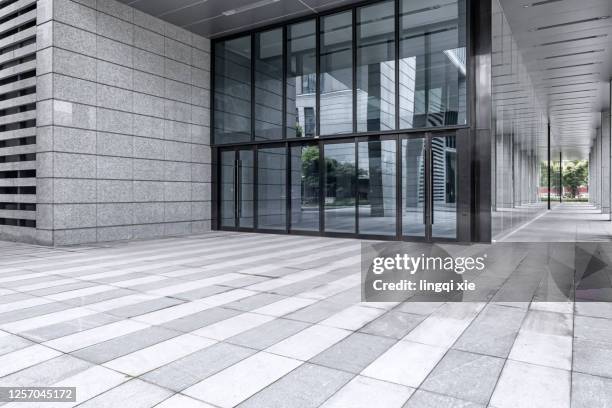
567	48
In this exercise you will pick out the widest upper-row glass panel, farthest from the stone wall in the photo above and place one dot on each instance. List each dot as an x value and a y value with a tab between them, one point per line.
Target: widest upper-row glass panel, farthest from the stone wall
432	64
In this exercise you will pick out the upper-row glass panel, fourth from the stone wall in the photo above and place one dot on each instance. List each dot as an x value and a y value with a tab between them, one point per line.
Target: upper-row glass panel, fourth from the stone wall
336	74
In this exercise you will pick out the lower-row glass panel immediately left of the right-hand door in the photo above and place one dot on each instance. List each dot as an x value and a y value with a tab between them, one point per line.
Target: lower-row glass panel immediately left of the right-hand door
376	183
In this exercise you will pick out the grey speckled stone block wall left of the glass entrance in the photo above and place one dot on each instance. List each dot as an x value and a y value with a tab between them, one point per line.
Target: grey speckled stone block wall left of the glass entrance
123	147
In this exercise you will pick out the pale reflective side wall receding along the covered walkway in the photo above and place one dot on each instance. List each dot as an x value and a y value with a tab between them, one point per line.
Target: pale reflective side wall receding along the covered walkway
520	133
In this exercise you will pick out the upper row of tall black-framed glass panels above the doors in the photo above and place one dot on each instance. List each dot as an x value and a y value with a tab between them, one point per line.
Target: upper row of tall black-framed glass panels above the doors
379	70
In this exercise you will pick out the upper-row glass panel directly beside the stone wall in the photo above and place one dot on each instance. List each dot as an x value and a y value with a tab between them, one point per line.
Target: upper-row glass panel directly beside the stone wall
233	91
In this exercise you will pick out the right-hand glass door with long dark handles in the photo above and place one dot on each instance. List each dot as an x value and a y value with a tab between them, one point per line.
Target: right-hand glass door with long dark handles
429	187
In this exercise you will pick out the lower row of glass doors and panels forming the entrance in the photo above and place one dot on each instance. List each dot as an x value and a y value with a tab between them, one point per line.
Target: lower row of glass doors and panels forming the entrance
399	187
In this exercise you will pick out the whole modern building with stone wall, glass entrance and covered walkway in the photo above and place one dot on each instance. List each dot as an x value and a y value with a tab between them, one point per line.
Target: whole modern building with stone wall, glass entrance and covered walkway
386	119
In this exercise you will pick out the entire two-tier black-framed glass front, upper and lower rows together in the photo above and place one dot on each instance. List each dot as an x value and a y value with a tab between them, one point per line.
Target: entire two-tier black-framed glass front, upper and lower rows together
366	73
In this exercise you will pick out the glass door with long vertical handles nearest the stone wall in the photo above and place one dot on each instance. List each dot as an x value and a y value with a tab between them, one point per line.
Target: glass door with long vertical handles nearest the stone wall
237	188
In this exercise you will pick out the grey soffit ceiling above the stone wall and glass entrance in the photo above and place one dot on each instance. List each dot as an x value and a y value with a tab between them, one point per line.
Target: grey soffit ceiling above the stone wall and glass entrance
215	18
